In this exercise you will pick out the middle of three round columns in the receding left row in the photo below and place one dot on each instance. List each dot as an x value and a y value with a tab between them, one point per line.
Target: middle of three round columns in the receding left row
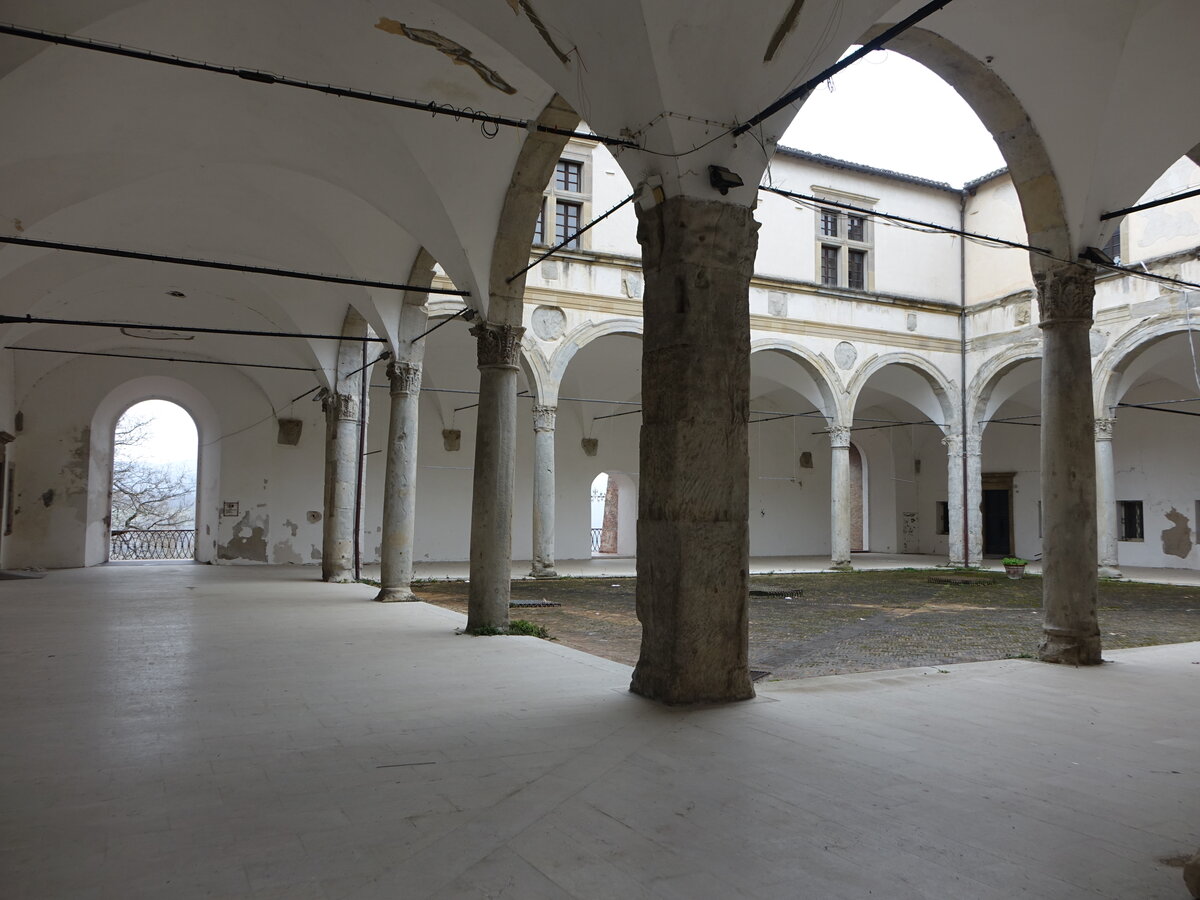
400	485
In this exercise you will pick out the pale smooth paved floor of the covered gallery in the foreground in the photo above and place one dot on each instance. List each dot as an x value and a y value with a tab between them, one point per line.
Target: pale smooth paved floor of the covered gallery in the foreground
185	731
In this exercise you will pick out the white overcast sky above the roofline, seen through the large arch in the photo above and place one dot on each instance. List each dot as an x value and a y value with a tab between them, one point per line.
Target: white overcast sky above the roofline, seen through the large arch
890	112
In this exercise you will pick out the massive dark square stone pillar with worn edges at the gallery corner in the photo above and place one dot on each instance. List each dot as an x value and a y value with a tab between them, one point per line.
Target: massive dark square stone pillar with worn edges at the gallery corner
693	530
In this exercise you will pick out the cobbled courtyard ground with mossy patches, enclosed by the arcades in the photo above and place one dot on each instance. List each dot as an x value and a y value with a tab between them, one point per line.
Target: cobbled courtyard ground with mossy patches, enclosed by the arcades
827	625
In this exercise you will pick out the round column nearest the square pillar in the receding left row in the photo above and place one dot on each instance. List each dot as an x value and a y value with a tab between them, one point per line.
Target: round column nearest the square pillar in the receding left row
491	506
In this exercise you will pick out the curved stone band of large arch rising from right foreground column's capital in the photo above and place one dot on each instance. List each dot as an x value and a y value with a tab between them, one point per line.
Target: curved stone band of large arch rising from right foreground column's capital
1003	115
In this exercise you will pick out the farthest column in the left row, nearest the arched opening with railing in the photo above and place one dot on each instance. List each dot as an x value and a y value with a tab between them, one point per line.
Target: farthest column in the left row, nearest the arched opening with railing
341	472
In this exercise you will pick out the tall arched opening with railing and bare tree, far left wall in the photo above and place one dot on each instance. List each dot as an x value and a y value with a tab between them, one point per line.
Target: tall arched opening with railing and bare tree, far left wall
153	508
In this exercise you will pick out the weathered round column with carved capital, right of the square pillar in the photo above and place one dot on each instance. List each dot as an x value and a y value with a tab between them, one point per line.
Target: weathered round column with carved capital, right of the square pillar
1072	634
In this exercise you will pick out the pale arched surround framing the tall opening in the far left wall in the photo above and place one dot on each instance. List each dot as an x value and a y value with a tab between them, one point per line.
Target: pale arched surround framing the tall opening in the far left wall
100	461
